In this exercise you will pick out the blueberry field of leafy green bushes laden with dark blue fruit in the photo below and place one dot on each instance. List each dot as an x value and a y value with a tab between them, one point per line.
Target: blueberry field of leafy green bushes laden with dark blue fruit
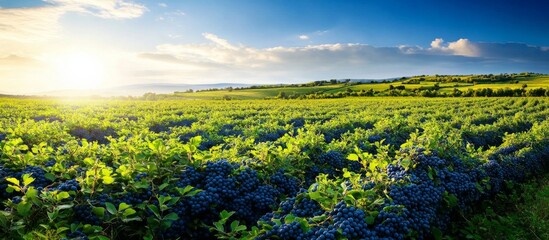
352	168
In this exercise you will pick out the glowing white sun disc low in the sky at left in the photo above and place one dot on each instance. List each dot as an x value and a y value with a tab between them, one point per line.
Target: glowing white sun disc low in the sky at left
79	70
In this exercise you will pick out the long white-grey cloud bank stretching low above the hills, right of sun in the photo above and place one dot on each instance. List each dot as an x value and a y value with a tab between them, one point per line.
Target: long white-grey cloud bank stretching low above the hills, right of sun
219	60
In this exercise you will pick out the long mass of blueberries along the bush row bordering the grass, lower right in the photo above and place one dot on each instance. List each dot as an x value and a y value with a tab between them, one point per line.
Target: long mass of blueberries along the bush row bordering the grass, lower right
420	198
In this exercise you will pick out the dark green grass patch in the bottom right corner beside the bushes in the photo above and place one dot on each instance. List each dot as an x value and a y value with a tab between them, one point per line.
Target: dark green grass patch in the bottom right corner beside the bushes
523	214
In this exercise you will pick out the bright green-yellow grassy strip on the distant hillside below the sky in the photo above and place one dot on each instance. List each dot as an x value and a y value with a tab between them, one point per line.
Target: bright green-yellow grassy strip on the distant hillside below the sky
248	94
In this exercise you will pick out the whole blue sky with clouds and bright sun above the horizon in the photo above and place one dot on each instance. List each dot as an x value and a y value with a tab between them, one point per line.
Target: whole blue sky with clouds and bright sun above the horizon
48	45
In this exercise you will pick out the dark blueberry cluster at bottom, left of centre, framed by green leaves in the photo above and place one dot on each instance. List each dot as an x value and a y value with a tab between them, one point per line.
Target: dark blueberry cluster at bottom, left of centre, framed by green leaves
226	186
